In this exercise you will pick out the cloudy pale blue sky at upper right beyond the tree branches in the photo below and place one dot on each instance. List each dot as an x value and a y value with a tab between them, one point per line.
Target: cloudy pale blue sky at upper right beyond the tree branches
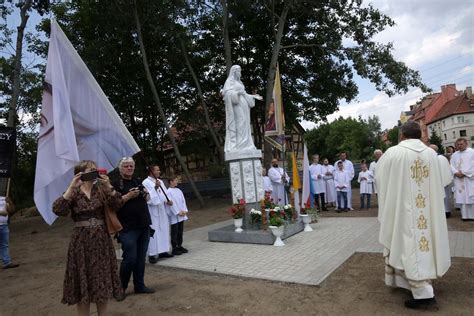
435	37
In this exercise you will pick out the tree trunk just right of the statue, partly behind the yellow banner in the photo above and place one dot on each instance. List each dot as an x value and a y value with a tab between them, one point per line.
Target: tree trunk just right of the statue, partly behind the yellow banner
267	153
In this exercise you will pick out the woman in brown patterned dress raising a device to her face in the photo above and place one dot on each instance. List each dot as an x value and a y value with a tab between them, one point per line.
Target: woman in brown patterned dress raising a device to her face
91	272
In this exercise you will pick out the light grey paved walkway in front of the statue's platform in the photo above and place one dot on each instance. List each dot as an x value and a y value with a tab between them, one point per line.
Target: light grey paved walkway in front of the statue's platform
307	258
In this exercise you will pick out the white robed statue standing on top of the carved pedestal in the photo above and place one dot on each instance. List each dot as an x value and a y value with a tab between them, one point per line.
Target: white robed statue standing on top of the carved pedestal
238	134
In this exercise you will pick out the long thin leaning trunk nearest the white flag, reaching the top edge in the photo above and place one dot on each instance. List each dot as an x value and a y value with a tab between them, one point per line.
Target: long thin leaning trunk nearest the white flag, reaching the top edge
160	108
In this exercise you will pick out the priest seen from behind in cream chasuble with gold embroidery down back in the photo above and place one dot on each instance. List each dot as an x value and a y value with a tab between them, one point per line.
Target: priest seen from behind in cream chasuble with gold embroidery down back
413	226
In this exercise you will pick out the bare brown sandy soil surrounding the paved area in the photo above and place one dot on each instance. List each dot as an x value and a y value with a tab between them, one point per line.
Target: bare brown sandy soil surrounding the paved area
355	288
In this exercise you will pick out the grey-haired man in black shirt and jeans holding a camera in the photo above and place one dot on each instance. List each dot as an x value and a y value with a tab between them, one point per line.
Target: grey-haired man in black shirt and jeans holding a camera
135	219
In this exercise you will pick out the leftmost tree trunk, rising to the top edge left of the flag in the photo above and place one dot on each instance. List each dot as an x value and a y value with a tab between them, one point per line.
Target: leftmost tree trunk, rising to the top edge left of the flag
17	70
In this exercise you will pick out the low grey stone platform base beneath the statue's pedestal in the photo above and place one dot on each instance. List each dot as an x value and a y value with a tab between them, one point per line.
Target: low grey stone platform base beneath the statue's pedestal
264	237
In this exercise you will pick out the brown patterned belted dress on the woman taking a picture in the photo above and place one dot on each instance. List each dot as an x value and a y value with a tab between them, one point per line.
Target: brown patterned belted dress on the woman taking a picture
91	272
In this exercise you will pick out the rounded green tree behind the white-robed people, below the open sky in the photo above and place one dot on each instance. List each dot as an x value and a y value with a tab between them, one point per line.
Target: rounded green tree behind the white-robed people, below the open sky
358	137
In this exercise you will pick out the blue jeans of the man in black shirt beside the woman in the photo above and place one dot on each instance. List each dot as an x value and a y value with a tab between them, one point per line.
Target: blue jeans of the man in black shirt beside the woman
134	246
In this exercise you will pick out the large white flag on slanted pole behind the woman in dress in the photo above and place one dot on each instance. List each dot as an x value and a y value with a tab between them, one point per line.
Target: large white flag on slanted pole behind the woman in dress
77	123
